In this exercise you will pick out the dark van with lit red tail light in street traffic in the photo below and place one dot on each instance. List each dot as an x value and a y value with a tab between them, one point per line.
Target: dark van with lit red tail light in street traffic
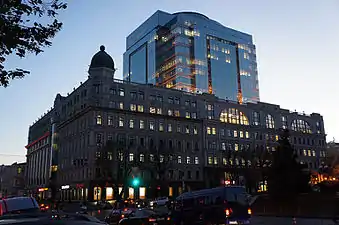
221	205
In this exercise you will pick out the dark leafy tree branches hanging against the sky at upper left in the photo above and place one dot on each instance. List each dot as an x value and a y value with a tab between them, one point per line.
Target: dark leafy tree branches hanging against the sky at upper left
22	33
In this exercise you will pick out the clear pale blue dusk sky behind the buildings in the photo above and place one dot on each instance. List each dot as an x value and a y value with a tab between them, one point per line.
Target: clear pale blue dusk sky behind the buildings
297	51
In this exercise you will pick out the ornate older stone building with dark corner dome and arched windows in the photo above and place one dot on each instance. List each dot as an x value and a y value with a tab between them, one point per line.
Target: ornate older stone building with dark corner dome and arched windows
108	131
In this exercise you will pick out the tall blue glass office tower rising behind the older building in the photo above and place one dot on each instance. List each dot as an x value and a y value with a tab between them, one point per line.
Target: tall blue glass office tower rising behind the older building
190	52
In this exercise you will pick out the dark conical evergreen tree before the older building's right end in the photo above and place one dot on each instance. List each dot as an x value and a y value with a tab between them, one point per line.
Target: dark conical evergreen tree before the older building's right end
286	176
